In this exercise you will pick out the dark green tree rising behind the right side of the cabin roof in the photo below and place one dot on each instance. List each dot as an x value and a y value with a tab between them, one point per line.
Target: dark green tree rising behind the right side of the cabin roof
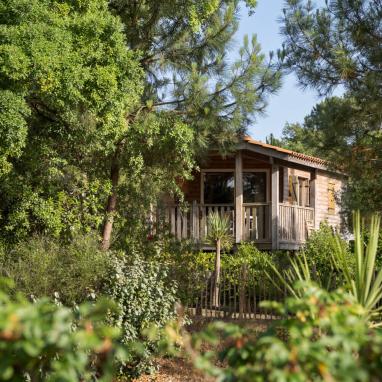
337	130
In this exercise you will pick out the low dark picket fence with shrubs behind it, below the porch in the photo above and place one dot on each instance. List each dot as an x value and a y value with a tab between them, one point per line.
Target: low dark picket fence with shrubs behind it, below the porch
240	295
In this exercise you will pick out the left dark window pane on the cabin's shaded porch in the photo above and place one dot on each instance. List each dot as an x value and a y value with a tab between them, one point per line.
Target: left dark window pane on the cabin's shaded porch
219	188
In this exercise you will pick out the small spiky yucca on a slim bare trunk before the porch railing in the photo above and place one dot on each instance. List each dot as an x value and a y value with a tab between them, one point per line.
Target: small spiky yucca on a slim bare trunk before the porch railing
218	234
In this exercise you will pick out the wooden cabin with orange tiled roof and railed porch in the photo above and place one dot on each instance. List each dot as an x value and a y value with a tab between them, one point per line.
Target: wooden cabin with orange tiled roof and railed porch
273	196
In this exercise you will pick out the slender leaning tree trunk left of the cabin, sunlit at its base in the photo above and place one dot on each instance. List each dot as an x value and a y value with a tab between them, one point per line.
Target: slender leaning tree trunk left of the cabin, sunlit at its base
111	203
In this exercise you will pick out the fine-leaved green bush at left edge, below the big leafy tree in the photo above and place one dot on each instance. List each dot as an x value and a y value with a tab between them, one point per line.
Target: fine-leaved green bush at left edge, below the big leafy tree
43	266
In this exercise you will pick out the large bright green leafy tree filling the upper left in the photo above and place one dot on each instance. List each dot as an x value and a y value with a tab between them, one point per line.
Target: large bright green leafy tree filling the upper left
67	81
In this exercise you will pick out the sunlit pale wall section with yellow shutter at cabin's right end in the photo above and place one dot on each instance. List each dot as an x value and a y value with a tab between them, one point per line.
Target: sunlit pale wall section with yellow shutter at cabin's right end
322	198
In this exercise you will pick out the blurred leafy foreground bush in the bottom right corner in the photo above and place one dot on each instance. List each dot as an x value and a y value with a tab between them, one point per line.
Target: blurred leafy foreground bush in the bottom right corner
325	337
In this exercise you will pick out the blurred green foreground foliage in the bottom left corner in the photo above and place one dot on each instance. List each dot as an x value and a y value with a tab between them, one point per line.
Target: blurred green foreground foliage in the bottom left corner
44	342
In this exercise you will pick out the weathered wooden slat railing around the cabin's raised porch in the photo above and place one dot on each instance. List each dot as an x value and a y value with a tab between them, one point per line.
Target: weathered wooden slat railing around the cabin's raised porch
293	223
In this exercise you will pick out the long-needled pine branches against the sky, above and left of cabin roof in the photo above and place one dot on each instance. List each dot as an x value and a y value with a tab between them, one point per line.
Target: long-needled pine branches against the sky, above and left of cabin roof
217	98
